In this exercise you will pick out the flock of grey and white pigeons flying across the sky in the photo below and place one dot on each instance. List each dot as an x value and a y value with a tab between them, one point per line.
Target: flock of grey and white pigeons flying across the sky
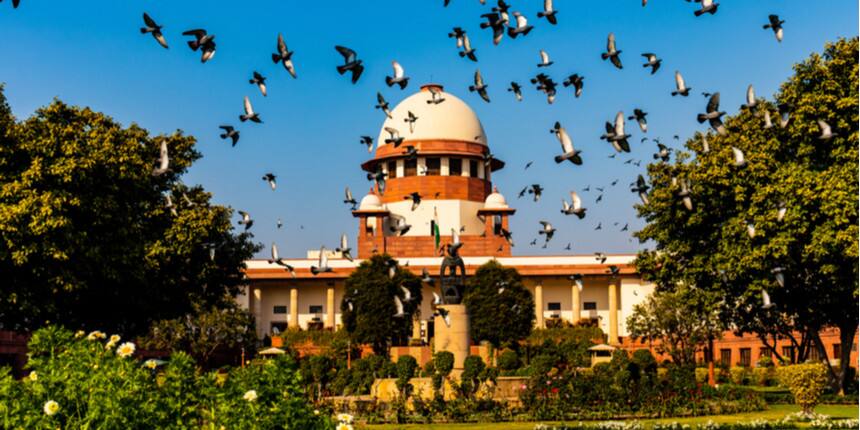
502	22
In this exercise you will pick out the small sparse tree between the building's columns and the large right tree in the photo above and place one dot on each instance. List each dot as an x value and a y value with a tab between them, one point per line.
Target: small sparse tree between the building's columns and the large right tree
680	321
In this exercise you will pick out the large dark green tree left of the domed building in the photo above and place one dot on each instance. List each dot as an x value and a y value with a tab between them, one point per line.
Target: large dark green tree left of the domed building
86	237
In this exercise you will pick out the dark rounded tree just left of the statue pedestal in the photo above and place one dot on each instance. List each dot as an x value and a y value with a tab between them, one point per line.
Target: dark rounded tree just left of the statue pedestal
368	306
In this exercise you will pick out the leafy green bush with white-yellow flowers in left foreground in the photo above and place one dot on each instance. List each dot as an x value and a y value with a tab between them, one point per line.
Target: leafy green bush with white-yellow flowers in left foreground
80	381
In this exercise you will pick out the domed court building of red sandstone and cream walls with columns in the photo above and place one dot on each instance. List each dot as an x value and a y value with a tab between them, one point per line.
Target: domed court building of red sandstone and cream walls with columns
455	183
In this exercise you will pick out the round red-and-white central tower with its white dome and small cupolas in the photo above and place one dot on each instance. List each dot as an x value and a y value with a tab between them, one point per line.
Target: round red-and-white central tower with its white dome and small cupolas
452	175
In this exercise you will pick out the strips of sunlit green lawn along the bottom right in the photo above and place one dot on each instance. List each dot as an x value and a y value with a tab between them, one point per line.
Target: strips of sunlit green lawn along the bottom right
773	412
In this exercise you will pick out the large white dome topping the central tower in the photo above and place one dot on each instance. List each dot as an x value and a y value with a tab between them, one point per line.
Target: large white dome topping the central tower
451	119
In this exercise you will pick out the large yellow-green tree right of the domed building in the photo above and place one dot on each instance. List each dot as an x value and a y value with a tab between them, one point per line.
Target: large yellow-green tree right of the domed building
805	260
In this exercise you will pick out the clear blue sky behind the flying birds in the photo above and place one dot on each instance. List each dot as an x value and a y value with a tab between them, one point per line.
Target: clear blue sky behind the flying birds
92	54
